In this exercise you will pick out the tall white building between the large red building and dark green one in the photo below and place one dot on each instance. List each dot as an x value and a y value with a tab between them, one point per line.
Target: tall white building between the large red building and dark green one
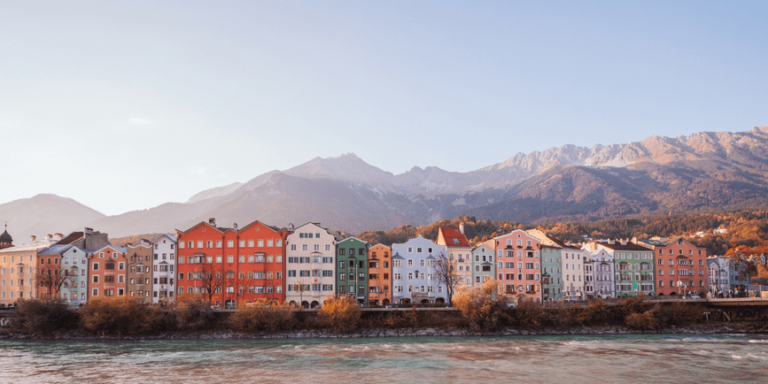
310	279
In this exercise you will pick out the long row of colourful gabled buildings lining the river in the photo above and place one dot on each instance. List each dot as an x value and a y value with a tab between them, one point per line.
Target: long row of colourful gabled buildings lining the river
304	265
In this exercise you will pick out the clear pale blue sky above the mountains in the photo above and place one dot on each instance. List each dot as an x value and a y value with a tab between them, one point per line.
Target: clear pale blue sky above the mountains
128	105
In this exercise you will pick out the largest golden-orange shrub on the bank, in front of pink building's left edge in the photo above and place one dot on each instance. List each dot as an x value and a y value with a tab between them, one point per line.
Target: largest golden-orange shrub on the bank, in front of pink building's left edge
481	307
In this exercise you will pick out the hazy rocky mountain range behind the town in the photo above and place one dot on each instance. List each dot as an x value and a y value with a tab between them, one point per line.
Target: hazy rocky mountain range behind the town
702	171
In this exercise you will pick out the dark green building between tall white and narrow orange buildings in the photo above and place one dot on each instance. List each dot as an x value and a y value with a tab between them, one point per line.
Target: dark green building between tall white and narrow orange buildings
352	269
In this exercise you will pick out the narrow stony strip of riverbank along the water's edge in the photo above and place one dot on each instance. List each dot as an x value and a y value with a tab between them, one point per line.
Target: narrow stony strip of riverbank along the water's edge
719	328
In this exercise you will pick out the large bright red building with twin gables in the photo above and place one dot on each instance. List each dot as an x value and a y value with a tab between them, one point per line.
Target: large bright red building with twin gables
234	265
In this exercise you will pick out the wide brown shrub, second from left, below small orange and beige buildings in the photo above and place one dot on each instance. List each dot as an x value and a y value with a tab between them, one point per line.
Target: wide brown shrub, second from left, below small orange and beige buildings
116	315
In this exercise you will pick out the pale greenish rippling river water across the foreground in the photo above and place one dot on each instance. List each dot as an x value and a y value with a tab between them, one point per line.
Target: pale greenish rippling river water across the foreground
540	359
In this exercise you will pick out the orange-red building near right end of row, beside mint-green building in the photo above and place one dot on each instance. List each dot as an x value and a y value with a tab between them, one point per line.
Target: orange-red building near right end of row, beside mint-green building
681	266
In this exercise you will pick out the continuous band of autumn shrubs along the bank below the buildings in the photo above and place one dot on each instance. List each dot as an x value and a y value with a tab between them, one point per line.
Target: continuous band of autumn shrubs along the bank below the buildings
480	313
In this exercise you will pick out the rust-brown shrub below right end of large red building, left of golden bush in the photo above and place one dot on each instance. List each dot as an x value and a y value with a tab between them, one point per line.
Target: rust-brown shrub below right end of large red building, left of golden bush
263	318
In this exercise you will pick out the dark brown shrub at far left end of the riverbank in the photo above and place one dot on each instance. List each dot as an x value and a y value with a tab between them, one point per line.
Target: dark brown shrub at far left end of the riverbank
43	316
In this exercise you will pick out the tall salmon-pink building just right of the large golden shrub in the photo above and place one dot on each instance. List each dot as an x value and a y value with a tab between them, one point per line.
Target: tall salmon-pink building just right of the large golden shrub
518	257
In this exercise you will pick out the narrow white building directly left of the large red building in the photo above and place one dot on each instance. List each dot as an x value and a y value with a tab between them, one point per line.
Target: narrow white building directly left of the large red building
163	269
